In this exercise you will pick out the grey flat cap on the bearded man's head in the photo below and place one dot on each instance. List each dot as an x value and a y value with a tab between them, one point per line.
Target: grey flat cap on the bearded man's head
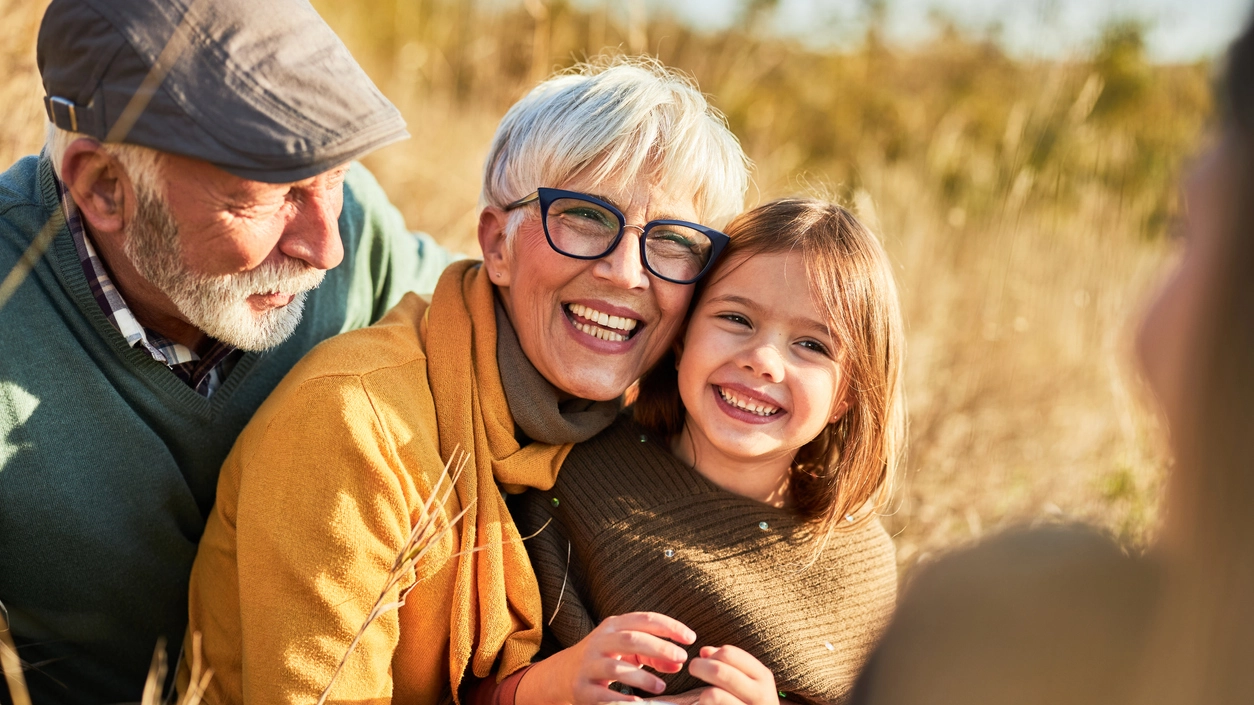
263	88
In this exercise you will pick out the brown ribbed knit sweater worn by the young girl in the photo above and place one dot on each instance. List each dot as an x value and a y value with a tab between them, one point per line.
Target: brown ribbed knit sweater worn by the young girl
644	531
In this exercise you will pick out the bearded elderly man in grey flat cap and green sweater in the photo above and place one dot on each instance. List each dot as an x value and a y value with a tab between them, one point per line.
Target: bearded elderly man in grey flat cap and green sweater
192	265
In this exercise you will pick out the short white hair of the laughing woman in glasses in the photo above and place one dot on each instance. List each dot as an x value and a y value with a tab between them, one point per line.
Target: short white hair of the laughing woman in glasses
618	121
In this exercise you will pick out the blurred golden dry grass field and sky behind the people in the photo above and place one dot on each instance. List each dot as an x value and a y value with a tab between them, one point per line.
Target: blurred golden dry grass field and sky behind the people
1019	160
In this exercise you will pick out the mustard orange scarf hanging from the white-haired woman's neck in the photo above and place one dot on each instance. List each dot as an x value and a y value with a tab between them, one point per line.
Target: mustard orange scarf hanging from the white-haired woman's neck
497	603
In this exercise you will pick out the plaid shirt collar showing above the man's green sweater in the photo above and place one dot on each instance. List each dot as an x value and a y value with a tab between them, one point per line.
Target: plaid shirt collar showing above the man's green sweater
203	373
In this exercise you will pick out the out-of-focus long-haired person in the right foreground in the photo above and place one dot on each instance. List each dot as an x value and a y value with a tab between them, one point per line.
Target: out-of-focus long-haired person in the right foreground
1063	615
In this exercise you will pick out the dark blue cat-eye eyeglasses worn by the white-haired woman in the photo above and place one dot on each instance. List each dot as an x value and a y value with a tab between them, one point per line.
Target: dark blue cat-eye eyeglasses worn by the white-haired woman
586	228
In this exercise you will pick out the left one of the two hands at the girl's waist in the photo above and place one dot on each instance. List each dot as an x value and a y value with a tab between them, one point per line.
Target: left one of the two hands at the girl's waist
614	652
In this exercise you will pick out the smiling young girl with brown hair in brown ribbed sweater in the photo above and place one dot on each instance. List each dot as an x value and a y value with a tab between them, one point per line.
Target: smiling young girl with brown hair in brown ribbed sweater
734	512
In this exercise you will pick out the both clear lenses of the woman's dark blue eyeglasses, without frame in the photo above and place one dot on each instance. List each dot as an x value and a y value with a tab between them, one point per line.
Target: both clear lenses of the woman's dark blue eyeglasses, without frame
584	229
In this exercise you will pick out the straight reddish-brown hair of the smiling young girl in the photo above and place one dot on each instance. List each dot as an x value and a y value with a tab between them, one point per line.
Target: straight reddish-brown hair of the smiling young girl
851	465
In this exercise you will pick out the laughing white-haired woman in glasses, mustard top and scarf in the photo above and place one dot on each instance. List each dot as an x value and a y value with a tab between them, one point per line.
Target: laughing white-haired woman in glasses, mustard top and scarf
601	190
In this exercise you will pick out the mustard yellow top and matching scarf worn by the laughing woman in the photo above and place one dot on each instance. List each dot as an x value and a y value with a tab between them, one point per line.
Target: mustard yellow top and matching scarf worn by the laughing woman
322	491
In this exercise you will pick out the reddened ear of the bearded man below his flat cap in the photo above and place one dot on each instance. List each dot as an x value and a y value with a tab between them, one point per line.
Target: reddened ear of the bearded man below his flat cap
98	186
